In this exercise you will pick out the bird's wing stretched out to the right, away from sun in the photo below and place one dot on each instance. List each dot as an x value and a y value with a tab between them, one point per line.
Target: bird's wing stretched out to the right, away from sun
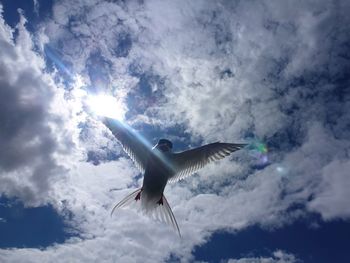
188	162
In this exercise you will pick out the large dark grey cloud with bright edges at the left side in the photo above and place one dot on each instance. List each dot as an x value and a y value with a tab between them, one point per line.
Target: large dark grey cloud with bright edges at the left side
31	142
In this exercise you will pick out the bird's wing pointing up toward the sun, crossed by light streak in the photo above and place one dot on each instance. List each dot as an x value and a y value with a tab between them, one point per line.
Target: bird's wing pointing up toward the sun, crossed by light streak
137	149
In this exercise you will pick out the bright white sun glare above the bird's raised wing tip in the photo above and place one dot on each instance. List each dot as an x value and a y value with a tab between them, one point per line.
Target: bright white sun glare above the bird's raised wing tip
107	106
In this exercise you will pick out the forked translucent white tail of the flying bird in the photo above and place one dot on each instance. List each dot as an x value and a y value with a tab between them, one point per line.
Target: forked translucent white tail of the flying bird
161	210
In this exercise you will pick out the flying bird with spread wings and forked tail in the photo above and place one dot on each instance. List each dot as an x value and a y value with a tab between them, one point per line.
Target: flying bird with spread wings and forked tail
160	165
